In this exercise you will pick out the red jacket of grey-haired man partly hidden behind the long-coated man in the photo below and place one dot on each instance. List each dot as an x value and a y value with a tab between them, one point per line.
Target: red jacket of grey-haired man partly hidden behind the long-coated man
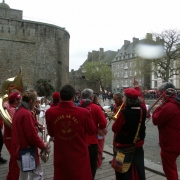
99	121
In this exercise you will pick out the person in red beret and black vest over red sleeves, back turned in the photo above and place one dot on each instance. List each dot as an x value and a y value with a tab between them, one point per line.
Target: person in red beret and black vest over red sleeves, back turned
125	128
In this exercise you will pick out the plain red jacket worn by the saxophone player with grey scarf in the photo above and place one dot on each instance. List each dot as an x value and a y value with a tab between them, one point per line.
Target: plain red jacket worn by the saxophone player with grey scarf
24	133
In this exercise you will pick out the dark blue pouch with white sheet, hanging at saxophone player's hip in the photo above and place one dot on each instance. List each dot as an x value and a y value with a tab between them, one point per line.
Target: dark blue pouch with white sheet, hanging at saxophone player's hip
27	158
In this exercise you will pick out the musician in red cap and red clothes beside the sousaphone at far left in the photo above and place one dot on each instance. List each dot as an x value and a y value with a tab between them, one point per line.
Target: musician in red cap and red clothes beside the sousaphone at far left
13	102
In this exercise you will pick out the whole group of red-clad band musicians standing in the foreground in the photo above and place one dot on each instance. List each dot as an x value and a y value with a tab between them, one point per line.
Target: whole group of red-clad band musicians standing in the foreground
77	123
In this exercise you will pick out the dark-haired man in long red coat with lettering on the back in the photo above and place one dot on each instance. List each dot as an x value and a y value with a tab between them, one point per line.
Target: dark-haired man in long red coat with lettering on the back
69	125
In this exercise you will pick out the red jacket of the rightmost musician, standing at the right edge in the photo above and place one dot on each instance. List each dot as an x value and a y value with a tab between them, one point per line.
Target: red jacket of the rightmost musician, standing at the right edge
167	118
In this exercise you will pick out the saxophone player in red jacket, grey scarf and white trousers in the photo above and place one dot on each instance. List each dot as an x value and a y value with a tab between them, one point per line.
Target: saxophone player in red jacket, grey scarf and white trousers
24	134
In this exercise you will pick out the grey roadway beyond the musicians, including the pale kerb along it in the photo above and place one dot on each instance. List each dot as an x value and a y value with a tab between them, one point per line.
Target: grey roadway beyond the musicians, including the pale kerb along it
151	145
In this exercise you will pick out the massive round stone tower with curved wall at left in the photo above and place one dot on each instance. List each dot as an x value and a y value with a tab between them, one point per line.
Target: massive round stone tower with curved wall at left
42	50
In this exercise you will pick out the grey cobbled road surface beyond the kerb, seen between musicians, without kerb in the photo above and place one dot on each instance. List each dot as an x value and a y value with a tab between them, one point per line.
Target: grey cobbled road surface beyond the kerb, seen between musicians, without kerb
151	146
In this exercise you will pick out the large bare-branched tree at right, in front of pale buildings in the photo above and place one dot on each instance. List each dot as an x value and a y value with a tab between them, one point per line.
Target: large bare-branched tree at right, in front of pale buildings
167	66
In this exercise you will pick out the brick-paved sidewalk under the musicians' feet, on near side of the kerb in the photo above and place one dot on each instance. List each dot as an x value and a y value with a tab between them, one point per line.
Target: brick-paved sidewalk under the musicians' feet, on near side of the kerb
104	173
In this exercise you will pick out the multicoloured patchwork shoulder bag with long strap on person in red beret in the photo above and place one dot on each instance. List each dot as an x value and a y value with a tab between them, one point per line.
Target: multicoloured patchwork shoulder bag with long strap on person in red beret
123	156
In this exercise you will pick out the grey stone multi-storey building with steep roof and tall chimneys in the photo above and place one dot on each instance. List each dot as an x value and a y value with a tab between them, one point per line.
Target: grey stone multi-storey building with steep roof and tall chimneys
124	66
